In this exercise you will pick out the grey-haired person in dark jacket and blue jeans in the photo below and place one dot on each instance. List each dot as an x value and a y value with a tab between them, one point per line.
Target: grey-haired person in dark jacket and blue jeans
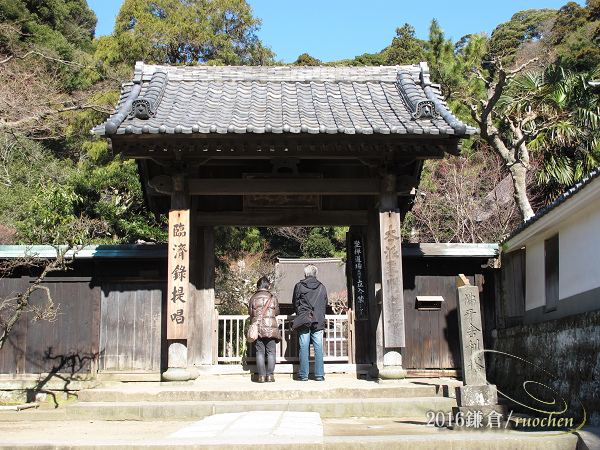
310	295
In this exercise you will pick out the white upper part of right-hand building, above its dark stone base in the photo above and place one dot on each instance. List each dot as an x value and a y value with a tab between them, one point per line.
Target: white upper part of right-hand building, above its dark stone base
561	254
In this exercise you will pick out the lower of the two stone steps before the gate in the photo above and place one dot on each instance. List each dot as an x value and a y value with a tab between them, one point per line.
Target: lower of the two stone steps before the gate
327	408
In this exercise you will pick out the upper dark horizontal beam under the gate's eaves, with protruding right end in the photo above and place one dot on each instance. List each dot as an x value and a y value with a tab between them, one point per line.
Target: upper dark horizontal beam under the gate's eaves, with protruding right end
291	186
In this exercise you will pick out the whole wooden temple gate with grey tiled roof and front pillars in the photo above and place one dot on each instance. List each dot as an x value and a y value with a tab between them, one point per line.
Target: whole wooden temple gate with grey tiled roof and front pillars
283	146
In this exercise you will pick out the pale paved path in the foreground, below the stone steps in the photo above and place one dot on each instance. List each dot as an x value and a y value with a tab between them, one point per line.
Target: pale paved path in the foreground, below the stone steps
268	429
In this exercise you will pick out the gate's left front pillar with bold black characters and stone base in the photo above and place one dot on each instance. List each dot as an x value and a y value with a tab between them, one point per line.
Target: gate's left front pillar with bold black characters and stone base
178	281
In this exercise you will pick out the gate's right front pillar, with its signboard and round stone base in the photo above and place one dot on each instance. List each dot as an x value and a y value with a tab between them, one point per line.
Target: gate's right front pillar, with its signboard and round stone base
392	287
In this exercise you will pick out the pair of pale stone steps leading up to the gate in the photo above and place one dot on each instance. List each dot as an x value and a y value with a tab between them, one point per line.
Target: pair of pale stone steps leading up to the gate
337	396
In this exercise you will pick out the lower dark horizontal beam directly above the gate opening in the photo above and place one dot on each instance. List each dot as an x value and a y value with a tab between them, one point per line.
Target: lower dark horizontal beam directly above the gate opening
308	218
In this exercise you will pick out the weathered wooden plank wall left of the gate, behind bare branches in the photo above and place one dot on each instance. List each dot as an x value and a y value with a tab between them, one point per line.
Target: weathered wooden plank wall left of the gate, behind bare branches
110	319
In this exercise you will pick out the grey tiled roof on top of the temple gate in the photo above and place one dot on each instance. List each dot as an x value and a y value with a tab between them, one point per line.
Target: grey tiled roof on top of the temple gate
278	99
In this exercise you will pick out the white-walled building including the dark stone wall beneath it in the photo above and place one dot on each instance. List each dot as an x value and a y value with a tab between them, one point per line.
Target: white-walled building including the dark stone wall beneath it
549	309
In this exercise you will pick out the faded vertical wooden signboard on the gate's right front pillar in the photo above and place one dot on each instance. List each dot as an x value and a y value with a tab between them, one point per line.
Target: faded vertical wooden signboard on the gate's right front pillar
391	280
